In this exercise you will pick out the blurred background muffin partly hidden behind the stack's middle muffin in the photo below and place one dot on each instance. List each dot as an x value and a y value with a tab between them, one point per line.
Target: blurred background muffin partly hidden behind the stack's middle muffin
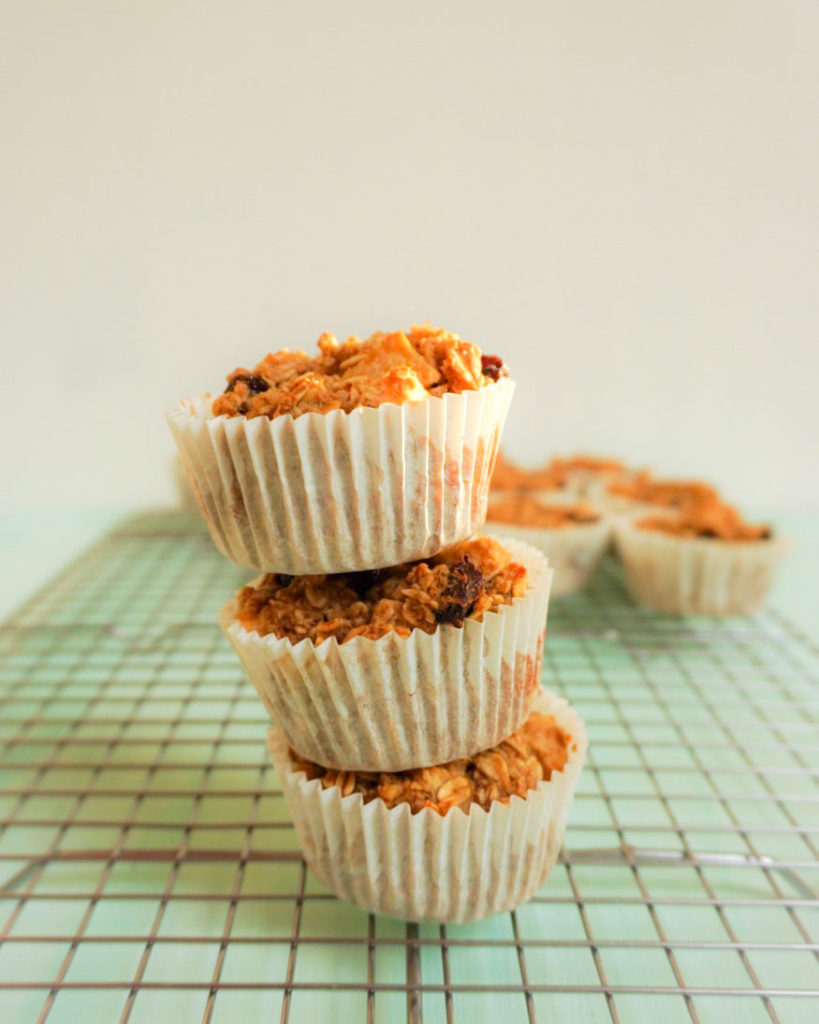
573	535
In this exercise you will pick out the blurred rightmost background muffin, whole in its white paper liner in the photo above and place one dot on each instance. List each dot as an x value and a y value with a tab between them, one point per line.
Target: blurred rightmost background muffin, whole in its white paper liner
703	560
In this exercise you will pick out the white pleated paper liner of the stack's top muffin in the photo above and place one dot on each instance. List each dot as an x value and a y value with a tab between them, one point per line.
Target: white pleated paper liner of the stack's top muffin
340	492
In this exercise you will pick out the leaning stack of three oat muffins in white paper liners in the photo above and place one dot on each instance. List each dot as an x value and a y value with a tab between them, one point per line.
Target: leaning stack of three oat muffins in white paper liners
396	650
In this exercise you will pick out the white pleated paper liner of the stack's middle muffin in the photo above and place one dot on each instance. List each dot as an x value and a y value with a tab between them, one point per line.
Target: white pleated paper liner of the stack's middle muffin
405	702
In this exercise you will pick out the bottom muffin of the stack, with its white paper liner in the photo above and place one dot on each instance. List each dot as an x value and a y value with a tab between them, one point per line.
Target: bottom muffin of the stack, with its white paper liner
452	843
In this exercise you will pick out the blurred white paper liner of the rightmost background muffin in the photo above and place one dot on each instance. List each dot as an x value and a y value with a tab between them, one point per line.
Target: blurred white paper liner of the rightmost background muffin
698	577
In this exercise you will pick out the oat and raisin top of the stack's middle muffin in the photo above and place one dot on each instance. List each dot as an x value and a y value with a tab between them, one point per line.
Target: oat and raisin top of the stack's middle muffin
463	582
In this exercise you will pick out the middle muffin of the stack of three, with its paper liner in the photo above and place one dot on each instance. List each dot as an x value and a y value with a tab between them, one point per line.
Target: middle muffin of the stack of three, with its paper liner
401	668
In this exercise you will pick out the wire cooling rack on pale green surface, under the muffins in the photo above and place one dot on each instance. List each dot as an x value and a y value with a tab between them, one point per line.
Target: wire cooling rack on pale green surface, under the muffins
150	872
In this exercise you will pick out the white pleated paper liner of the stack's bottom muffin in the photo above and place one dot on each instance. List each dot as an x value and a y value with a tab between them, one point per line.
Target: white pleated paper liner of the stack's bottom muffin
456	868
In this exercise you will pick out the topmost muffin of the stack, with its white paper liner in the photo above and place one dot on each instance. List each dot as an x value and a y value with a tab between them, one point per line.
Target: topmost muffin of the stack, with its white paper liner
367	454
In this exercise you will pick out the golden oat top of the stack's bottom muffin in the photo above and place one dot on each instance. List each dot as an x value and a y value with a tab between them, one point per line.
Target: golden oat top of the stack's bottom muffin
519	764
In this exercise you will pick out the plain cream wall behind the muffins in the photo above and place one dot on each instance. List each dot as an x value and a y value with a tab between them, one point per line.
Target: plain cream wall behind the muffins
619	198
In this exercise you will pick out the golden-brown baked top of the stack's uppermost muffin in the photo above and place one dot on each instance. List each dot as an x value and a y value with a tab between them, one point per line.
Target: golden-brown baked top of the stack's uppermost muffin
398	368
